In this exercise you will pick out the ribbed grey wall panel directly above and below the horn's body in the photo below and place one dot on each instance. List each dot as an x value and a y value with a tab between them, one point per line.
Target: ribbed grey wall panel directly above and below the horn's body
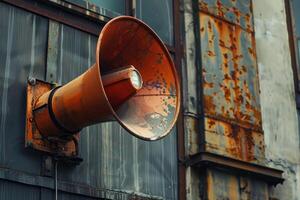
113	159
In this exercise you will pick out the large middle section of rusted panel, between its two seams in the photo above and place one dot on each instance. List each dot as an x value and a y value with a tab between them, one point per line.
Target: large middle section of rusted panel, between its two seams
229	70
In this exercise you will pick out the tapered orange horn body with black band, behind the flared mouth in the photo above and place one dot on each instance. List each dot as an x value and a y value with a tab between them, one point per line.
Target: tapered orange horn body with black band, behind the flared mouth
77	104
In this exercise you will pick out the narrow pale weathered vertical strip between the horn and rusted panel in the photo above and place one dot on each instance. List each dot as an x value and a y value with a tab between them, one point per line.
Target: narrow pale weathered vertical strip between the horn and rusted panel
190	101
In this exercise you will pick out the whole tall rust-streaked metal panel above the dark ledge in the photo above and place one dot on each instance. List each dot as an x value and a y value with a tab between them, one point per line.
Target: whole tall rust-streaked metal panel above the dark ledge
231	105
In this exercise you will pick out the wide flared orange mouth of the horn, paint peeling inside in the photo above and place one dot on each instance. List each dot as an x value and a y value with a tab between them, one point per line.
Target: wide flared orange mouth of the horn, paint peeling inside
126	41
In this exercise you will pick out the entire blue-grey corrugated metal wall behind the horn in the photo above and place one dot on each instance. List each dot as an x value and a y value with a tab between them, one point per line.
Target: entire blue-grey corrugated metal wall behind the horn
113	159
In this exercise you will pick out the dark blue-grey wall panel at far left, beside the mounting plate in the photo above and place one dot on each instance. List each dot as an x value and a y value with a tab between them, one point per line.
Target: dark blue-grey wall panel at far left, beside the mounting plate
23	45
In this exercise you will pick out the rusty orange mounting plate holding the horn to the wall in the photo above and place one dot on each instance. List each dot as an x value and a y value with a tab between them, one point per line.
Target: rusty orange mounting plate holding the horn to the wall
62	148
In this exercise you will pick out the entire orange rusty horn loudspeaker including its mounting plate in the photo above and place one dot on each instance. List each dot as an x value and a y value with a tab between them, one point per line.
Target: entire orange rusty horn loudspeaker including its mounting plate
133	80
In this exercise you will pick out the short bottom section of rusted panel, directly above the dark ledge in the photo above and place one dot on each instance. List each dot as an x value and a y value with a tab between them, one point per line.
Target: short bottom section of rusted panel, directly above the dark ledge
234	141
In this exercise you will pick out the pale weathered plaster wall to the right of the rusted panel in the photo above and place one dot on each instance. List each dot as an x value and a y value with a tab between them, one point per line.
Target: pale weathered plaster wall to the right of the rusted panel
279	114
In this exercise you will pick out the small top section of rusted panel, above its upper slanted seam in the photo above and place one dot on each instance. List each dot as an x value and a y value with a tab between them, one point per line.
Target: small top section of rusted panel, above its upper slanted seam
237	12
